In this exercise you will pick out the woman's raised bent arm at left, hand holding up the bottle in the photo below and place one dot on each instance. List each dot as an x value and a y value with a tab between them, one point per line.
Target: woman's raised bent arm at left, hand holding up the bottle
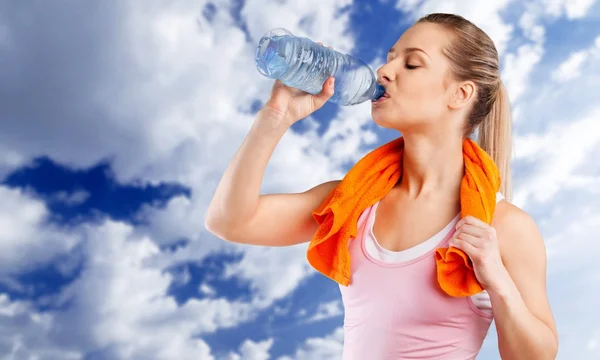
238	212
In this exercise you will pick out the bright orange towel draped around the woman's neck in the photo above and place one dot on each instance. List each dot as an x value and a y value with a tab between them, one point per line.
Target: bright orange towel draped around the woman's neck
370	180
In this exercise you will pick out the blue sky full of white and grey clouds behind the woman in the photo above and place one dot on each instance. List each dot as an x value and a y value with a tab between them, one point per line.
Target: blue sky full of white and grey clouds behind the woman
119	117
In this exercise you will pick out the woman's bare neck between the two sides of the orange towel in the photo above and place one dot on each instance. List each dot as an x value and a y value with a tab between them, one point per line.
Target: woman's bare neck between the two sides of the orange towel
432	165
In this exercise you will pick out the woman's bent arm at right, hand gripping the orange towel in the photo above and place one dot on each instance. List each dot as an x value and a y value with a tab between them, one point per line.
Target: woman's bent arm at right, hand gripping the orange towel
509	259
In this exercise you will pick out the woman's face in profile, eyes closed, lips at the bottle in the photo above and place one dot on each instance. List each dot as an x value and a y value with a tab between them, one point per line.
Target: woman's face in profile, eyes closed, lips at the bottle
416	78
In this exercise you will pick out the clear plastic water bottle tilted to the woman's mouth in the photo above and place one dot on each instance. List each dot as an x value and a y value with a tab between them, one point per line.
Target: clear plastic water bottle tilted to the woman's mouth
303	64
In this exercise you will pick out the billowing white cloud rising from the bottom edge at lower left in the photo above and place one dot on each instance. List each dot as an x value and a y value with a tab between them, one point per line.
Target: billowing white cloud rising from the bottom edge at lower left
119	308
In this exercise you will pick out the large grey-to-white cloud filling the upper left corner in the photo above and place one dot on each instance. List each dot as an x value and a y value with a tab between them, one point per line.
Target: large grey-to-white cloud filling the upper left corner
146	94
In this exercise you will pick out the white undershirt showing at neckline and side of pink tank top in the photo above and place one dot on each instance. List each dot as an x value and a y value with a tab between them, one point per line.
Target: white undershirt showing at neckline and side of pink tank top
480	300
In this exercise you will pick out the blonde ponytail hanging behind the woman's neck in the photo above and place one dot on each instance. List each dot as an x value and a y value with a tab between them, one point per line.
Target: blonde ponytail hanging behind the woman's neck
495	137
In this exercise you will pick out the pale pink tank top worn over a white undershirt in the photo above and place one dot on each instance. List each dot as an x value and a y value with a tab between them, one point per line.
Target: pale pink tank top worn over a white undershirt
396	310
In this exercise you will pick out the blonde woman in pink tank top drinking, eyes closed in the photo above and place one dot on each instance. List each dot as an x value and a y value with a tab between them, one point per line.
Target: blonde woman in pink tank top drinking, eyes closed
442	83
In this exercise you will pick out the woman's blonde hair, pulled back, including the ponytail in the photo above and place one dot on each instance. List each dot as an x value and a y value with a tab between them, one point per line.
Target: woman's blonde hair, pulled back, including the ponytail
473	56
